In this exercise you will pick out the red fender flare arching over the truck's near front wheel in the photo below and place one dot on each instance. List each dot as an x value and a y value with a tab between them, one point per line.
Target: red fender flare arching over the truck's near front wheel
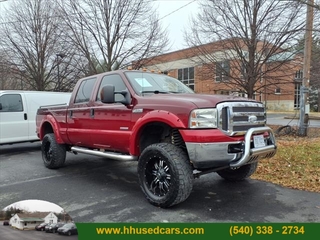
153	116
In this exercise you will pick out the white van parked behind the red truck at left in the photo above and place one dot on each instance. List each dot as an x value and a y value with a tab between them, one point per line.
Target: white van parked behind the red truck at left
18	111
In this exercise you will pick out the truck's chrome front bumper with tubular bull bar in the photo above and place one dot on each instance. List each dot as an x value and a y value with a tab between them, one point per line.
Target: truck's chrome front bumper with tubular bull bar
234	154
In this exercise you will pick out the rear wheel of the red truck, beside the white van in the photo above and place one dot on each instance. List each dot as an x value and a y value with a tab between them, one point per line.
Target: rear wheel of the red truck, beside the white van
53	154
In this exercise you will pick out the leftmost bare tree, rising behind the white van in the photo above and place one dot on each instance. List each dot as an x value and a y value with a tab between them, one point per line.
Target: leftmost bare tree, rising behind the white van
33	39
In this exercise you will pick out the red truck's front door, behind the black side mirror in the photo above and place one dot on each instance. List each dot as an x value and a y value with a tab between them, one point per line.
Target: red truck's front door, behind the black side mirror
112	122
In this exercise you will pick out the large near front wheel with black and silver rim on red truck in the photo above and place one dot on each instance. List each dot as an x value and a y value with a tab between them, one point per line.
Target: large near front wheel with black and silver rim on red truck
165	174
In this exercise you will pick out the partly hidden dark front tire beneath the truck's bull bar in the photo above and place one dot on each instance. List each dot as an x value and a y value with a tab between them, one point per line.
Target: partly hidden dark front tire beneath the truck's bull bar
239	173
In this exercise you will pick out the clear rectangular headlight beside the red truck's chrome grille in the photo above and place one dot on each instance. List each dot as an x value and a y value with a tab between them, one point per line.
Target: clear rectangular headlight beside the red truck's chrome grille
203	118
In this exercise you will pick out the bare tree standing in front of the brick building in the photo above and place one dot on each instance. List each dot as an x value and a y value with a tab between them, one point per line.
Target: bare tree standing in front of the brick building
254	34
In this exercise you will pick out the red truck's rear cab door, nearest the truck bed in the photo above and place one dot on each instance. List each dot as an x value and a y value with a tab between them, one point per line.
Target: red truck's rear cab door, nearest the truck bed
78	115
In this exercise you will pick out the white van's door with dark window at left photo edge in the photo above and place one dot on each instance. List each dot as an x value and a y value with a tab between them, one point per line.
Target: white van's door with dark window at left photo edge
13	118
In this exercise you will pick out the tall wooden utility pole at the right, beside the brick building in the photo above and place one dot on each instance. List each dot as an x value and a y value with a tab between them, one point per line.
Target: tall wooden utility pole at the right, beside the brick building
304	90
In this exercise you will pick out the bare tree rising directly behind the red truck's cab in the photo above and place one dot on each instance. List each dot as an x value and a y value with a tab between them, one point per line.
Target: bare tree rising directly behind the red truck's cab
110	34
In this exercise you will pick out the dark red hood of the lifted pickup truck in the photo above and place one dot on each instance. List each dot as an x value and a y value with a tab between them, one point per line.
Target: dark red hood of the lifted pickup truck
199	100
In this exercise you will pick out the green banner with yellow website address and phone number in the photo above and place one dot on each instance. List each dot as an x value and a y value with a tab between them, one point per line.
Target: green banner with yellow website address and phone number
185	231
